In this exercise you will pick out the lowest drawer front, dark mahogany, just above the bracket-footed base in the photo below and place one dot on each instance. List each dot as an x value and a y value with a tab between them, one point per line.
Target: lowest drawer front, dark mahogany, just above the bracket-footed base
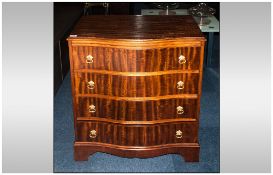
137	135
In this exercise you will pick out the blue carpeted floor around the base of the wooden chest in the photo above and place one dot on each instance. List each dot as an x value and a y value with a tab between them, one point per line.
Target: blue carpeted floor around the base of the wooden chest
209	138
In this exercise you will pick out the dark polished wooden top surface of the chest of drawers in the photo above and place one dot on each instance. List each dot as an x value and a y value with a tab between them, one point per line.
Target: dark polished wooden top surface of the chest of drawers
136	27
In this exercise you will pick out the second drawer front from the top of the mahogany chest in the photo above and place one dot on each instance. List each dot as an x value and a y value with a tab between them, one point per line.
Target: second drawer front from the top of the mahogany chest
136	86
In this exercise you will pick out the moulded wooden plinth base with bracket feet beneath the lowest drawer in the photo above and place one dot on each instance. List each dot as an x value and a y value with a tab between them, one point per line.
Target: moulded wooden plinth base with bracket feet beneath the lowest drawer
190	152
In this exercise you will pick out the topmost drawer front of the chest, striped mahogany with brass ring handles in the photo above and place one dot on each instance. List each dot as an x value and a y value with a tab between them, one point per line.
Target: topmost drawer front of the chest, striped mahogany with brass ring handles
127	60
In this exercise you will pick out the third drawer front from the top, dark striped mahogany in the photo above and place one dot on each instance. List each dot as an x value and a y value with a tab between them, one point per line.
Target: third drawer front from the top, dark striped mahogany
137	110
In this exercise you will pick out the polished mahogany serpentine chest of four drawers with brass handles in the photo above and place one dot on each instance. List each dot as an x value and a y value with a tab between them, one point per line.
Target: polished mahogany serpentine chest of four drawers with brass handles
136	85
